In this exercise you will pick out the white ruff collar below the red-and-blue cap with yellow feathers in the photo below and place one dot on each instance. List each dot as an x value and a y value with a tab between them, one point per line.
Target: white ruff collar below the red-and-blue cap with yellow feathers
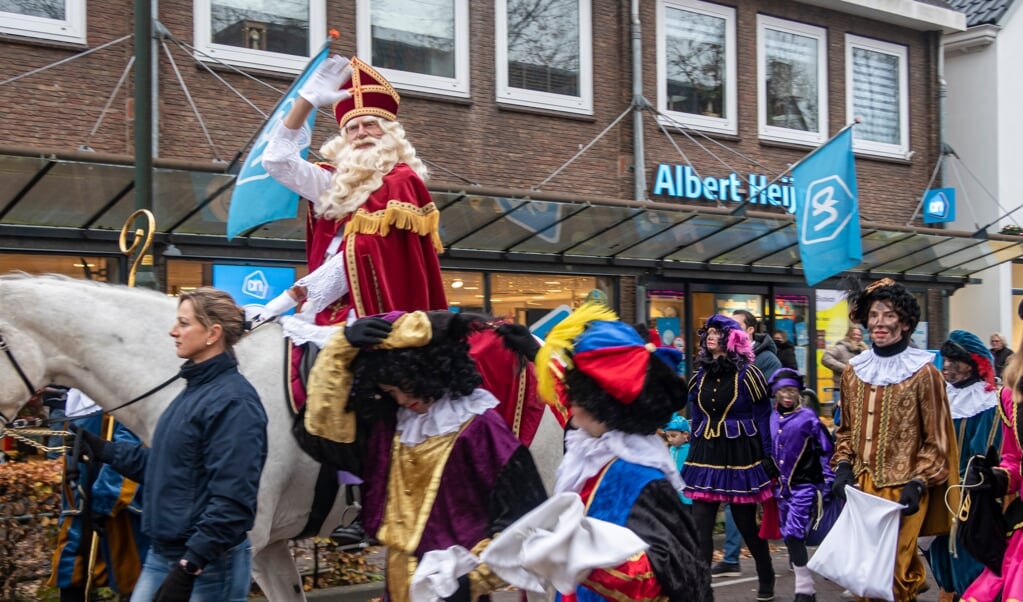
586	456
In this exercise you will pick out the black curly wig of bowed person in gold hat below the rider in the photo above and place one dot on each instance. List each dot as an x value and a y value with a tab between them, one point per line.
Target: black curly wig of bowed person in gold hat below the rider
442	368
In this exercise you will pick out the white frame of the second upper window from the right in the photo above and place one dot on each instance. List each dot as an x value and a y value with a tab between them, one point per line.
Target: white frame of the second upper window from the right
780	135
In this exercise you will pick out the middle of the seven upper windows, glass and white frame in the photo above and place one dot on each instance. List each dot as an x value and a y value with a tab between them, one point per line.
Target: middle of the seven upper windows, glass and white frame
545	55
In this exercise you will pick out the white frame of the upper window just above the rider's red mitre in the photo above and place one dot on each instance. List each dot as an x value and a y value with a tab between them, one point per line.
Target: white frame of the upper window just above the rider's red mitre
457	87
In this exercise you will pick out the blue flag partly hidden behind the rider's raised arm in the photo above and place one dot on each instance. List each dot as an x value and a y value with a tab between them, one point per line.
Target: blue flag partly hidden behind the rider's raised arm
257	198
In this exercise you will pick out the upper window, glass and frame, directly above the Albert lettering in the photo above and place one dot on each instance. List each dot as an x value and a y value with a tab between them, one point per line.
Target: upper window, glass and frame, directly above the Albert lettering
696	65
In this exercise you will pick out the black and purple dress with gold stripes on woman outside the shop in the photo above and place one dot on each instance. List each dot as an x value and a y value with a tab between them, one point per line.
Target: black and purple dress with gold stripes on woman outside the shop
731	436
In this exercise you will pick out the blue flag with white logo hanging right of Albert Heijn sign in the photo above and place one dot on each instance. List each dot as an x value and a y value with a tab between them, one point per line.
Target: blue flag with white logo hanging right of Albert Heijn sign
827	210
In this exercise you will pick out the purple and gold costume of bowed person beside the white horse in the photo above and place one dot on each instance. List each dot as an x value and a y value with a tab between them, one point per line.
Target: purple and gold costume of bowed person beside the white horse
487	482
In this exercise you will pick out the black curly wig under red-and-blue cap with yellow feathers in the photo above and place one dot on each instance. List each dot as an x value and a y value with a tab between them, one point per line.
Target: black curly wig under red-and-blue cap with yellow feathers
663	395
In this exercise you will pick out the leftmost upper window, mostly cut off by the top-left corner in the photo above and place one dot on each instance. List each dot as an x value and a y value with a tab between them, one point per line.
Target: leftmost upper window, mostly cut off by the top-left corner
63	21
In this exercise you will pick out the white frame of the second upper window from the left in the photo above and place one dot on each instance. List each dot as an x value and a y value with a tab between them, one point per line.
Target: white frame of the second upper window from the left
208	52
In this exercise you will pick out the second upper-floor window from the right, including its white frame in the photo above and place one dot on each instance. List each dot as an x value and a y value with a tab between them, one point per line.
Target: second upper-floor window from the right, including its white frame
792	85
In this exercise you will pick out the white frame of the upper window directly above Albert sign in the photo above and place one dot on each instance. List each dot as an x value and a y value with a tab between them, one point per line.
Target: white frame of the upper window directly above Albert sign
722	125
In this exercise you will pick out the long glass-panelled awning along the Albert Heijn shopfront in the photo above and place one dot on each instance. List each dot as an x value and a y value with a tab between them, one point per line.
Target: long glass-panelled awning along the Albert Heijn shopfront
93	193
